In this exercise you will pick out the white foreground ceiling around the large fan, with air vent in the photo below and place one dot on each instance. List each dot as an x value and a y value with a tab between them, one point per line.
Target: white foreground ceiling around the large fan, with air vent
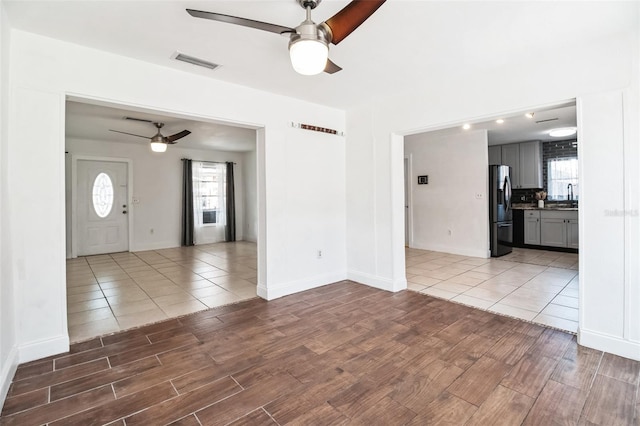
405	44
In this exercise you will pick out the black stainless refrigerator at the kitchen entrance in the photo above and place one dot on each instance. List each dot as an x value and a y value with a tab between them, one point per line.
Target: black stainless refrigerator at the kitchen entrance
500	215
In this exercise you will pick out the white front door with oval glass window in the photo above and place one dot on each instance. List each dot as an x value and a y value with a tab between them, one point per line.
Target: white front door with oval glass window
102	208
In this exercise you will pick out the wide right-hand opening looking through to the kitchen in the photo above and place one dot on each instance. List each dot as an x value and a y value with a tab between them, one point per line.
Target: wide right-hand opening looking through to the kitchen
449	259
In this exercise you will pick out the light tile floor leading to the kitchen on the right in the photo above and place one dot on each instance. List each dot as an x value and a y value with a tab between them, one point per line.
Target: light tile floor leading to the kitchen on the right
534	285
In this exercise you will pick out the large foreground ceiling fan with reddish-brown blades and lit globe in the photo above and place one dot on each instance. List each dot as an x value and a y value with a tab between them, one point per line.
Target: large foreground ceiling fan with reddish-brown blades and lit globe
309	42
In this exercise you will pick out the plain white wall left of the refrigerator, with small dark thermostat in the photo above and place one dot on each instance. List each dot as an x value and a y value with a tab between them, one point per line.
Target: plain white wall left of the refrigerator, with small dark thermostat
457	169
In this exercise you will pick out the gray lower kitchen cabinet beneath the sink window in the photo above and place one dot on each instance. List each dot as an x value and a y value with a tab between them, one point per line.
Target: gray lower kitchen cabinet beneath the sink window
559	228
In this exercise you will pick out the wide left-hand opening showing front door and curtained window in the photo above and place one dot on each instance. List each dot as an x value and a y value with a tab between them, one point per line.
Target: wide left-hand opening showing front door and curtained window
125	266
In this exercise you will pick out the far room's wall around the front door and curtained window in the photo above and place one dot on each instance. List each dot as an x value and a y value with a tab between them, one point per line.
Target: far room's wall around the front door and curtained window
157	184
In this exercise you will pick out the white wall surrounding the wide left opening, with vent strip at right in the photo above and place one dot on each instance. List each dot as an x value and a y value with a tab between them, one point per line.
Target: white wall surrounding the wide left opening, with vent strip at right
44	71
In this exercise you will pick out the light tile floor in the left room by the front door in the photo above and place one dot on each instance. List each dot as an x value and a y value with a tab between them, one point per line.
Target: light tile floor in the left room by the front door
114	292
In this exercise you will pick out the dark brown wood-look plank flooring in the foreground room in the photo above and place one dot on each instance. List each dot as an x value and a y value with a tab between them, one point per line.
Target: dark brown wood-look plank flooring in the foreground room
341	354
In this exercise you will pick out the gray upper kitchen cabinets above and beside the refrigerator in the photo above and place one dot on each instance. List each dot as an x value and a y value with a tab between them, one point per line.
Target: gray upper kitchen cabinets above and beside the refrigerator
525	159
